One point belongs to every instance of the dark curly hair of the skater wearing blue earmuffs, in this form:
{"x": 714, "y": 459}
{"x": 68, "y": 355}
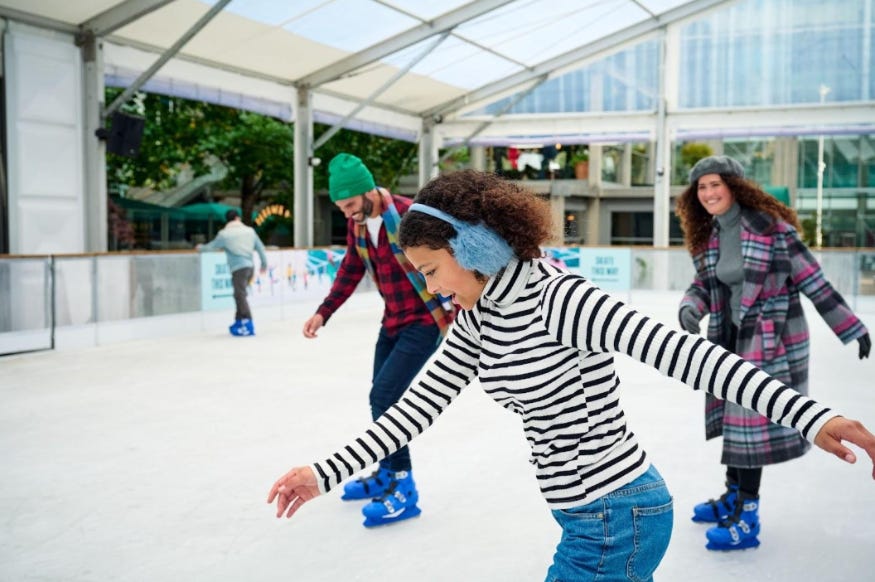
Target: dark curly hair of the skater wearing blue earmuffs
{"x": 520, "y": 217}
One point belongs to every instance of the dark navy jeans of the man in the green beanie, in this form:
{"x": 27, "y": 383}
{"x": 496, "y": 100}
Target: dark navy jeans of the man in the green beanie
{"x": 397, "y": 360}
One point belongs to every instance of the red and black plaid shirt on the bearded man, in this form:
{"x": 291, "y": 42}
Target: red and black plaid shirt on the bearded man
{"x": 403, "y": 304}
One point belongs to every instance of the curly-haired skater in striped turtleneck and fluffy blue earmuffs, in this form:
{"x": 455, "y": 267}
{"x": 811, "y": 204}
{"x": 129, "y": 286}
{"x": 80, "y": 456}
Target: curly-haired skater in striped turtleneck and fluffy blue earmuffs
{"x": 541, "y": 341}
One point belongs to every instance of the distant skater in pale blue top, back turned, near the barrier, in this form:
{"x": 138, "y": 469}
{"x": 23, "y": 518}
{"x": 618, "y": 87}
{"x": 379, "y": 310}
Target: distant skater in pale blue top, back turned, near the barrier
{"x": 239, "y": 242}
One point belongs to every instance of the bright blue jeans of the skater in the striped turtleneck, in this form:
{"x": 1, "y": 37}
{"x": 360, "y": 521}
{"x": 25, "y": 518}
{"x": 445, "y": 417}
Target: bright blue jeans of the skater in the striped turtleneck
{"x": 617, "y": 538}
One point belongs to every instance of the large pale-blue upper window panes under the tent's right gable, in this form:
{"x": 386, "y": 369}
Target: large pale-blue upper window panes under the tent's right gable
{"x": 752, "y": 54}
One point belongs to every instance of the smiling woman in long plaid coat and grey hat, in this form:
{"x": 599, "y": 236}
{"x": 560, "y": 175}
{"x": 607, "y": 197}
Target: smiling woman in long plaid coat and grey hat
{"x": 750, "y": 267}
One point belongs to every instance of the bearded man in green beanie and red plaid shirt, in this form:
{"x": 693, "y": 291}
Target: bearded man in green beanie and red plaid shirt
{"x": 413, "y": 322}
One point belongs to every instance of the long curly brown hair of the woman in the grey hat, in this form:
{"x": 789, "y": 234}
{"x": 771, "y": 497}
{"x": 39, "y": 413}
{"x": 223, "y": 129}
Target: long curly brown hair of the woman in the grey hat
{"x": 697, "y": 223}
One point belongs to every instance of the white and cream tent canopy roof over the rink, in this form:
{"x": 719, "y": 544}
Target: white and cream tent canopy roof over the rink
{"x": 255, "y": 53}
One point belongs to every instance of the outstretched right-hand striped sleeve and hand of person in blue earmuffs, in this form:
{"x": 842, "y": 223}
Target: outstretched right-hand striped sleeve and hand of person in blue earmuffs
{"x": 580, "y": 315}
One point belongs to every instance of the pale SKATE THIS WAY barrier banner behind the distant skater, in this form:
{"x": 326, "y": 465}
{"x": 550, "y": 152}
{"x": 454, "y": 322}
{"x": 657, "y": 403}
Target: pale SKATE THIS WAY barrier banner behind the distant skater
{"x": 291, "y": 276}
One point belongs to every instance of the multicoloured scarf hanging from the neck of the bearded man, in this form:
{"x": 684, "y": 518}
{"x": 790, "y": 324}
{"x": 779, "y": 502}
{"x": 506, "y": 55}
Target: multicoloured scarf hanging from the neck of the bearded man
{"x": 441, "y": 310}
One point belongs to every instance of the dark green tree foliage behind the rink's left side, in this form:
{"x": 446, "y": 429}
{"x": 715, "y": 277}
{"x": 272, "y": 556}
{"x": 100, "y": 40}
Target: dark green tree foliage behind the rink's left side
{"x": 258, "y": 151}
